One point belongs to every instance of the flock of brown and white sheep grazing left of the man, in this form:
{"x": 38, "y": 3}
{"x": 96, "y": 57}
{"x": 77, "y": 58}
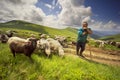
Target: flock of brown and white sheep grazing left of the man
{"x": 29, "y": 45}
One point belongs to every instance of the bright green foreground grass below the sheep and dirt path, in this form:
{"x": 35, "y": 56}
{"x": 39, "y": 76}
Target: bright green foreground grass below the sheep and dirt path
{"x": 54, "y": 68}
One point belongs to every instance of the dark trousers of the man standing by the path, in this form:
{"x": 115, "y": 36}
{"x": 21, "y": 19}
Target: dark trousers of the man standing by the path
{"x": 80, "y": 46}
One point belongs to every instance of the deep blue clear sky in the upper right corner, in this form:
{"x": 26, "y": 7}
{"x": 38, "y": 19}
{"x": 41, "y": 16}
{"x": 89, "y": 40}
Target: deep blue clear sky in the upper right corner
{"x": 105, "y": 10}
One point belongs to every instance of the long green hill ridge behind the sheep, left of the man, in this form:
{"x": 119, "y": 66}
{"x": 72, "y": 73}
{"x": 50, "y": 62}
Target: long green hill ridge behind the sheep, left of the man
{"x": 22, "y": 25}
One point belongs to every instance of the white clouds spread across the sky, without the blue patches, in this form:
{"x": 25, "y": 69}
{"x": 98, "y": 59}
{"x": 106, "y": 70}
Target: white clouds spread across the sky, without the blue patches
{"x": 72, "y": 13}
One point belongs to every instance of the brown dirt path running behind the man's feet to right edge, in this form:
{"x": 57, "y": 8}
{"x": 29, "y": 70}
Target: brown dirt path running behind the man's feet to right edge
{"x": 97, "y": 55}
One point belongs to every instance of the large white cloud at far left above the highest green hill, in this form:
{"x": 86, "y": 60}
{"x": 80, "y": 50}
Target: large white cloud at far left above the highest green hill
{"x": 20, "y": 10}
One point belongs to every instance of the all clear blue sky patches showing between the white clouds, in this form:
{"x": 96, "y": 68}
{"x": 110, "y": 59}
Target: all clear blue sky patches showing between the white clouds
{"x": 102, "y": 10}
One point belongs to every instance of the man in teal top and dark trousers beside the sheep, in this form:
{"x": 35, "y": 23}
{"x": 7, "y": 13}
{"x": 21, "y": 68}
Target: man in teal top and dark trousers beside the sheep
{"x": 82, "y": 38}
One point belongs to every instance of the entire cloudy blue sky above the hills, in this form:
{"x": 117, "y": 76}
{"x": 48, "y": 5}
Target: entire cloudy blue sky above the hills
{"x": 100, "y": 14}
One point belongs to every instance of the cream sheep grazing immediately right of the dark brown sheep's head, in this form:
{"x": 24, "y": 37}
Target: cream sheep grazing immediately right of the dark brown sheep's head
{"x": 44, "y": 46}
